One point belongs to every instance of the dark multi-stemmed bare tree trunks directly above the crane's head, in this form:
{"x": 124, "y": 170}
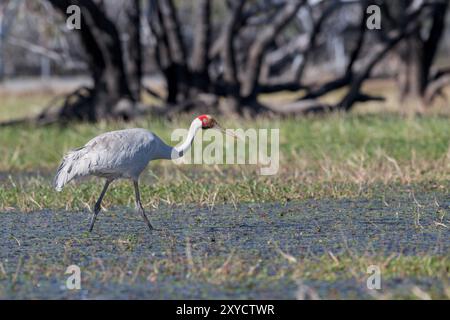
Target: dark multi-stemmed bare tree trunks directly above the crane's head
{"x": 185, "y": 81}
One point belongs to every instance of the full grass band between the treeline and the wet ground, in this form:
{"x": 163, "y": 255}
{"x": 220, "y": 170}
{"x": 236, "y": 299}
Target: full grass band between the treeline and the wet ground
{"x": 334, "y": 156}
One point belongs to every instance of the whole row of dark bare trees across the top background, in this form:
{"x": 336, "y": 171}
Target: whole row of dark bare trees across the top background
{"x": 222, "y": 60}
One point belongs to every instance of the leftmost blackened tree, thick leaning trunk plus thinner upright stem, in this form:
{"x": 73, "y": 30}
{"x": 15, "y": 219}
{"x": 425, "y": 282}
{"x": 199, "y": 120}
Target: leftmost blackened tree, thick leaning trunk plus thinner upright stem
{"x": 116, "y": 83}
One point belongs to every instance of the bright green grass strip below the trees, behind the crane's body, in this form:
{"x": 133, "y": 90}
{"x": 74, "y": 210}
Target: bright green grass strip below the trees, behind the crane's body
{"x": 336, "y": 138}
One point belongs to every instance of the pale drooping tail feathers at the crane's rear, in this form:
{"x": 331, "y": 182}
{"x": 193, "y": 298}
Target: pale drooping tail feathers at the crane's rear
{"x": 68, "y": 169}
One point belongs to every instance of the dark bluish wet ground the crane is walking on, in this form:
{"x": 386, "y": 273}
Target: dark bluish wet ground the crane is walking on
{"x": 400, "y": 224}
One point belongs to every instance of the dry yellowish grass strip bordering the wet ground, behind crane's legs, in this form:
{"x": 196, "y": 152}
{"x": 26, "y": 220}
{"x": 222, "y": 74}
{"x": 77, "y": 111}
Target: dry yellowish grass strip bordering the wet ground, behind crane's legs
{"x": 207, "y": 188}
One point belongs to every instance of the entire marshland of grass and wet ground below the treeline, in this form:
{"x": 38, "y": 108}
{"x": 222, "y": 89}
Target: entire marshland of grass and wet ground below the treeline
{"x": 352, "y": 191}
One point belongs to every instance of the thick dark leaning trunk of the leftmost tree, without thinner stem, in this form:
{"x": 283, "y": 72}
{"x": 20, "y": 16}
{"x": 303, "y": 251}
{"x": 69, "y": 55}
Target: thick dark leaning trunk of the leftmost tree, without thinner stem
{"x": 111, "y": 96}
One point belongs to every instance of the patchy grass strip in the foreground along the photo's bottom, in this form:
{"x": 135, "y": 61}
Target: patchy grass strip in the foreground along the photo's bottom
{"x": 240, "y": 275}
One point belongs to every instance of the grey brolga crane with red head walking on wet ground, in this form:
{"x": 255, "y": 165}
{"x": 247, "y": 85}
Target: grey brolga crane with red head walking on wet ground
{"x": 123, "y": 154}
